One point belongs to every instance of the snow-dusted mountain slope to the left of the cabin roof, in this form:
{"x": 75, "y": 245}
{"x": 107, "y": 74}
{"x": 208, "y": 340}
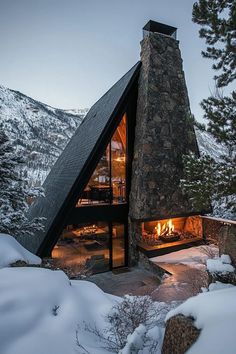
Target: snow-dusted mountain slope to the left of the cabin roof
{"x": 39, "y": 130}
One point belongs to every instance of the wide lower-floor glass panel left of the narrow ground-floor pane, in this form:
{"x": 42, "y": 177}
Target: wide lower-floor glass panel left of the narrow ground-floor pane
{"x": 84, "y": 244}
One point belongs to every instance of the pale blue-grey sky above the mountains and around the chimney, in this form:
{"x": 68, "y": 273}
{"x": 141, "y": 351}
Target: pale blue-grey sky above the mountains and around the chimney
{"x": 67, "y": 53}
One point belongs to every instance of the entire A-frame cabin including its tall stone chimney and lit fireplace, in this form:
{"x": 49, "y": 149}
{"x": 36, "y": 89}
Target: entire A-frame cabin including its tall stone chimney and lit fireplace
{"x": 115, "y": 189}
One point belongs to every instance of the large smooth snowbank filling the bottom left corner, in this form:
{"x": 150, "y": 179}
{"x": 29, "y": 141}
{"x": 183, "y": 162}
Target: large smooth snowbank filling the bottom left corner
{"x": 40, "y": 310}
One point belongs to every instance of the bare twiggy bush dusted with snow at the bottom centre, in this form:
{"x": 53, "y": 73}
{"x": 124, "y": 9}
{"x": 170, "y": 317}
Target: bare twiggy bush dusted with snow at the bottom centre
{"x": 128, "y": 319}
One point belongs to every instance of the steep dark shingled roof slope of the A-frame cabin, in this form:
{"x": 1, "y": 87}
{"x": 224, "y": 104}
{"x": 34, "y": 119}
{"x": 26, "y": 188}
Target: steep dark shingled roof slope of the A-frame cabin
{"x": 70, "y": 167}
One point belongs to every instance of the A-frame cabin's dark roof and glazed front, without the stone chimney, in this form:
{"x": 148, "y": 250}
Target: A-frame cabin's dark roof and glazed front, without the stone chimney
{"x": 88, "y": 187}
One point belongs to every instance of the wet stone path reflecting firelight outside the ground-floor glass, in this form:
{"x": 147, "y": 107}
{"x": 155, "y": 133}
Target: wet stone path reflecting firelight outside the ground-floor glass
{"x": 184, "y": 282}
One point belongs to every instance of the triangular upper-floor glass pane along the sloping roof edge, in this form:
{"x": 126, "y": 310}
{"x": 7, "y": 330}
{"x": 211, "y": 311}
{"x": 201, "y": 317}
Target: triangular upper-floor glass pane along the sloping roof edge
{"x": 98, "y": 189}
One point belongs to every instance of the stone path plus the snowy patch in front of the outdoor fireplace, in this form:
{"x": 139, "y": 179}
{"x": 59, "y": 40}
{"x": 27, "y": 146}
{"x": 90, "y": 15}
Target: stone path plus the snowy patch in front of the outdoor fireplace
{"x": 187, "y": 276}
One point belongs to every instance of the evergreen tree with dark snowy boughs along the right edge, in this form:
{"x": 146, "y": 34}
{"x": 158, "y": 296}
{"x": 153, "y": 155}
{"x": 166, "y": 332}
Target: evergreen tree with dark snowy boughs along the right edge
{"x": 205, "y": 179}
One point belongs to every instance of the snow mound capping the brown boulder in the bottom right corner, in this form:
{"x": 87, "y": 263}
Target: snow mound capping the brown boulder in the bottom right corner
{"x": 214, "y": 313}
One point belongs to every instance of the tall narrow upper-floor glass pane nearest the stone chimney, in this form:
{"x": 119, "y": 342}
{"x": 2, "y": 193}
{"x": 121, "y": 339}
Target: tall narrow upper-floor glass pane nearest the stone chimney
{"x": 118, "y": 162}
